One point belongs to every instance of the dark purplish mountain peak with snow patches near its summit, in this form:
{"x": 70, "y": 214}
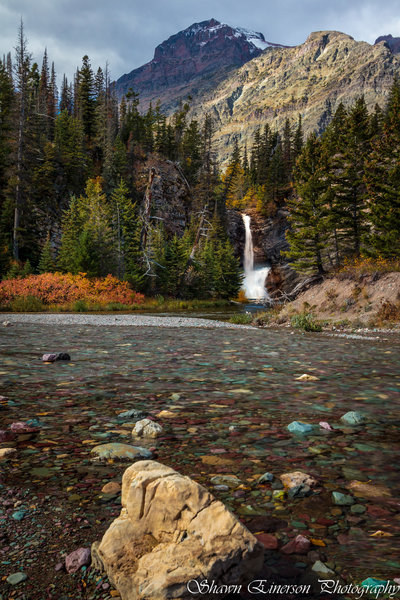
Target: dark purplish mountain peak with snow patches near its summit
{"x": 192, "y": 62}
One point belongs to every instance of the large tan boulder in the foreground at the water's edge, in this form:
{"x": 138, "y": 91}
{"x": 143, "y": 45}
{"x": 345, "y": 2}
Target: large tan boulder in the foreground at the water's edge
{"x": 171, "y": 530}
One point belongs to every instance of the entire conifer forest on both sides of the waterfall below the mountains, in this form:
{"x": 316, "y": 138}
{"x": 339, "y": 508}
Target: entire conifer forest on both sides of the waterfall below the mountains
{"x": 69, "y": 200}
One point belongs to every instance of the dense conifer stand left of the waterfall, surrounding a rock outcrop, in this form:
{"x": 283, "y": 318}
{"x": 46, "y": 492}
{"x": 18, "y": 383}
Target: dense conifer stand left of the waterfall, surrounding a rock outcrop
{"x": 67, "y": 174}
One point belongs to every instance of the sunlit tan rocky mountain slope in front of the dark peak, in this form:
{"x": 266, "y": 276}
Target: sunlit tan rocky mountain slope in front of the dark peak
{"x": 308, "y": 80}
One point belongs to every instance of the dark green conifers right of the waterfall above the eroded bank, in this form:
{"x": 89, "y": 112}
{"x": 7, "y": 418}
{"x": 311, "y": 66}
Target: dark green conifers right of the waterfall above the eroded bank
{"x": 346, "y": 199}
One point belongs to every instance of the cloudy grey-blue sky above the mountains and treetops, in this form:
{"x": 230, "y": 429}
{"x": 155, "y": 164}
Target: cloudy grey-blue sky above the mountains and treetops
{"x": 125, "y": 32}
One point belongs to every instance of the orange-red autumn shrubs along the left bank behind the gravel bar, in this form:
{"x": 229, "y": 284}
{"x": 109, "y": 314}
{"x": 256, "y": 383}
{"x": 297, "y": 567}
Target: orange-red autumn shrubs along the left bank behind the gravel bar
{"x": 58, "y": 288}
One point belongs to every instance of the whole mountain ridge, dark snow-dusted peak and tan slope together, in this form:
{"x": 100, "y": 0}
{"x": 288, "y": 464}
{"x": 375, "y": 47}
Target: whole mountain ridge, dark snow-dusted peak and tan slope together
{"x": 244, "y": 82}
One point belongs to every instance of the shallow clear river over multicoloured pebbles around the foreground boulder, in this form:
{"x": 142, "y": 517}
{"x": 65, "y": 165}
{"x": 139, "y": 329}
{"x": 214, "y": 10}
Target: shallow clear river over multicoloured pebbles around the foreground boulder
{"x": 230, "y": 394}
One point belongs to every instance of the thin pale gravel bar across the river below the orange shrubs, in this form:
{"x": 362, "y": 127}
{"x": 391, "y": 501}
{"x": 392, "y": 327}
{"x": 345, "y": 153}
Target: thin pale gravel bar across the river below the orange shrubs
{"x": 121, "y": 320}
